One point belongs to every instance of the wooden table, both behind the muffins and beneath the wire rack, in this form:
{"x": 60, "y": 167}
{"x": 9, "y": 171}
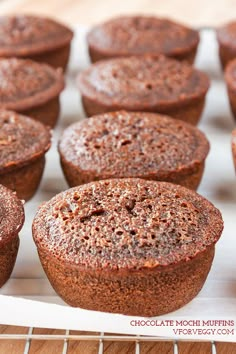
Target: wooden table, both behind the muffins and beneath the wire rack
{"x": 195, "y": 13}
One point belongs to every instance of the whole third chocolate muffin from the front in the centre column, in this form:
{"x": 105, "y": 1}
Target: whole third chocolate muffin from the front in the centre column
{"x": 144, "y": 83}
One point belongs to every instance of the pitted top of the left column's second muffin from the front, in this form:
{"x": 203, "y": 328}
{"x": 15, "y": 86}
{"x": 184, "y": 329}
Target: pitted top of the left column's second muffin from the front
{"x": 22, "y": 140}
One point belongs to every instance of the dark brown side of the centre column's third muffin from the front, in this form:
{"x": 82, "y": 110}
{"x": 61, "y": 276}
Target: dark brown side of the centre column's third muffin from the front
{"x": 189, "y": 113}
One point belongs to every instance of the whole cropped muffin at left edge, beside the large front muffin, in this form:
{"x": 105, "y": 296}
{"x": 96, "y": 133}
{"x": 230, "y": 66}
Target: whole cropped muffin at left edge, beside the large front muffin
{"x": 11, "y": 221}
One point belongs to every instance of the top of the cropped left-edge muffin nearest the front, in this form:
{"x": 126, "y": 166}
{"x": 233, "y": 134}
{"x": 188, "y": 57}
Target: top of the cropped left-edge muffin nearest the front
{"x": 11, "y": 215}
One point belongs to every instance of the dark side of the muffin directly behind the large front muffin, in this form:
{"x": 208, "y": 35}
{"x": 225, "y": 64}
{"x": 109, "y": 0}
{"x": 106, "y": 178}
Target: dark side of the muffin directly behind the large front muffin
{"x": 75, "y": 176}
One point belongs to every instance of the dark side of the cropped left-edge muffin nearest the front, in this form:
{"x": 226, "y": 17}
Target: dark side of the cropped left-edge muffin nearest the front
{"x": 8, "y": 254}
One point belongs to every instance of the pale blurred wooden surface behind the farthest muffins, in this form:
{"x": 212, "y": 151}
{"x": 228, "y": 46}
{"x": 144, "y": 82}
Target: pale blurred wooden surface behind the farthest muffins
{"x": 200, "y": 12}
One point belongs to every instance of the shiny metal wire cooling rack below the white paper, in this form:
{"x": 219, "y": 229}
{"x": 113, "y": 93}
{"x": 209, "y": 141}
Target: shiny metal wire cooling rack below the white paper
{"x": 100, "y": 339}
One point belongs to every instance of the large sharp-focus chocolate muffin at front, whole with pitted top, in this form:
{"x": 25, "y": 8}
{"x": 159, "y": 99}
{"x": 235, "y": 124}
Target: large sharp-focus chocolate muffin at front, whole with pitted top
{"x": 127, "y": 246}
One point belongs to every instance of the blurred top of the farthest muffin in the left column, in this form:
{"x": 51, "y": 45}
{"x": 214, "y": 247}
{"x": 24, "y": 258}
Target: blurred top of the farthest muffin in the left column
{"x": 21, "y": 35}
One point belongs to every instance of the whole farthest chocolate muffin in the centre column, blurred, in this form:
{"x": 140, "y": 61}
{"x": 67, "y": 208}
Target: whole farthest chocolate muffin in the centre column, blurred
{"x": 137, "y": 35}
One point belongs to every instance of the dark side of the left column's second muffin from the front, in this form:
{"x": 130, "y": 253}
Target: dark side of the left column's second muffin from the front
{"x": 24, "y": 180}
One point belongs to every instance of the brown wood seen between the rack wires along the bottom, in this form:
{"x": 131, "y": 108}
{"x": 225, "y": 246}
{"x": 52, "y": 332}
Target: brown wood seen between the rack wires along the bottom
{"x": 91, "y": 347}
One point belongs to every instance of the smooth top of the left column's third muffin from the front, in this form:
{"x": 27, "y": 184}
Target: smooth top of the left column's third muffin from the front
{"x": 25, "y": 83}
